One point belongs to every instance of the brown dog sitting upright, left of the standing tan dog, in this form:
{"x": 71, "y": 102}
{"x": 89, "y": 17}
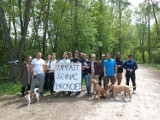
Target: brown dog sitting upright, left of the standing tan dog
{"x": 99, "y": 90}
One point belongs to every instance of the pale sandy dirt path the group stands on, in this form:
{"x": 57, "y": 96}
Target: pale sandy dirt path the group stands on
{"x": 144, "y": 104}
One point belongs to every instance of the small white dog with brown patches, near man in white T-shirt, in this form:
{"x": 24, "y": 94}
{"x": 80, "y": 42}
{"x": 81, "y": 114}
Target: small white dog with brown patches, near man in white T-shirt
{"x": 30, "y": 95}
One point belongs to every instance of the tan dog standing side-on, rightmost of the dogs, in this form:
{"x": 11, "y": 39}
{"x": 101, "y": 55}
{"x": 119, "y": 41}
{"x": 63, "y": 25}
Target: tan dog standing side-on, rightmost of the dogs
{"x": 118, "y": 89}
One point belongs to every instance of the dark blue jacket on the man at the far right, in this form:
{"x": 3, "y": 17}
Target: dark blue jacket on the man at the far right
{"x": 130, "y": 64}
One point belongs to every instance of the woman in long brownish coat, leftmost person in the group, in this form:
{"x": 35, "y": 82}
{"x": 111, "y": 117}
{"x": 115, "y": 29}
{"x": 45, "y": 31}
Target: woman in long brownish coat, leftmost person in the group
{"x": 26, "y": 75}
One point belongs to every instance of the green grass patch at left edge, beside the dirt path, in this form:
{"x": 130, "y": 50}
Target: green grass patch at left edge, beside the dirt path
{"x": 10, "y": 88}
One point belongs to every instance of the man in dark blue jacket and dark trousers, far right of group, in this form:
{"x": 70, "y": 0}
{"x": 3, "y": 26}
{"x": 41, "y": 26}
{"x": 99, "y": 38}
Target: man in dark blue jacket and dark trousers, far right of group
{"x": 130, "y": 65}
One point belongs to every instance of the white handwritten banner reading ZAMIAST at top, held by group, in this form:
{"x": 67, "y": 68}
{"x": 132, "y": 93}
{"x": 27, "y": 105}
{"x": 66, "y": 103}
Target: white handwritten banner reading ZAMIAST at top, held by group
{"x": 68, "y": 77}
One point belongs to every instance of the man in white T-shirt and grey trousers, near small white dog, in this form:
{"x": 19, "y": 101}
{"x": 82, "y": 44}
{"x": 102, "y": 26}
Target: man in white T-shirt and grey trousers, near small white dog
{"x": 38, "y": 68}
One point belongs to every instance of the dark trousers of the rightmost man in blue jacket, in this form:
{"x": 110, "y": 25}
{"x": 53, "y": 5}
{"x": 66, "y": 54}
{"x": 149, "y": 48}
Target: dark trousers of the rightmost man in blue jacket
{"x": 133, "y": 79}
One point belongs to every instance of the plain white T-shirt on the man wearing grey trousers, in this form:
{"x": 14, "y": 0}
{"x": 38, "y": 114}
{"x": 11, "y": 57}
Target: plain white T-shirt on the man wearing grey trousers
{"x": 38, "y": 65}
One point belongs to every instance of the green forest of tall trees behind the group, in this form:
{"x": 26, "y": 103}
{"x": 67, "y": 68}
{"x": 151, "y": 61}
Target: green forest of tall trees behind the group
{"x": 90, "y": 26}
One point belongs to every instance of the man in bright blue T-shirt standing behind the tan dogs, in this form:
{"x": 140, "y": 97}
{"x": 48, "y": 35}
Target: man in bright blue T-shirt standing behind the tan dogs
{"x": 109, "y": 70}
